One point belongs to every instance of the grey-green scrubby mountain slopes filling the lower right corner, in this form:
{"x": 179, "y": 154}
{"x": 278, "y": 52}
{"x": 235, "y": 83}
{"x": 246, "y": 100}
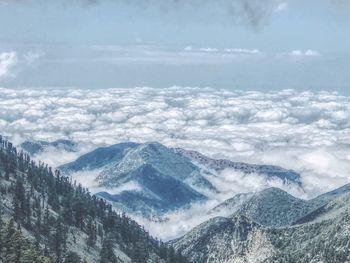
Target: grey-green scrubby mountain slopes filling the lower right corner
{"x": 305, "y": 231}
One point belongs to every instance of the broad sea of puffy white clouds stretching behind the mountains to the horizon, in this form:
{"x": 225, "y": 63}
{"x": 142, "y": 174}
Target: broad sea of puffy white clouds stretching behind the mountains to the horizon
{"x": 305, "y": 131}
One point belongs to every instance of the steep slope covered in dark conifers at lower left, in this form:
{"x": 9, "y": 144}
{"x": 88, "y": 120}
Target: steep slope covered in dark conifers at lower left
{"x": 47, "y": 218}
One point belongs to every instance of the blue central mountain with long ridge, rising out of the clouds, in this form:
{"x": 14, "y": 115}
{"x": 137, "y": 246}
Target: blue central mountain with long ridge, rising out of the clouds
{"x": 162, "y": 179}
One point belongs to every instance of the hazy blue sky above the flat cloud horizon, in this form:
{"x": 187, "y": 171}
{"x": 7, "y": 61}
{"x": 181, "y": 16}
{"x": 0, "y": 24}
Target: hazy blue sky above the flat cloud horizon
{"x": 97, "y": 44}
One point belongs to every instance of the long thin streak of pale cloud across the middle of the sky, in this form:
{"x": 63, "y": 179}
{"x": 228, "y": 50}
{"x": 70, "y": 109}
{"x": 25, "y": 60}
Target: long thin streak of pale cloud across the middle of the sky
{"x": 153, "y": 53}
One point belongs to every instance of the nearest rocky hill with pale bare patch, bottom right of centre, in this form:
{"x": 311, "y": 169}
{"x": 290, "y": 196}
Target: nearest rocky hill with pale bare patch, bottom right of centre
{"x": 222, "y": 240}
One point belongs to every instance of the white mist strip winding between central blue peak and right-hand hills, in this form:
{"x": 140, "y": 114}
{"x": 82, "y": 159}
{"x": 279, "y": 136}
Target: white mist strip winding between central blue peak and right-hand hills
{"x": 229, "y": 183}
